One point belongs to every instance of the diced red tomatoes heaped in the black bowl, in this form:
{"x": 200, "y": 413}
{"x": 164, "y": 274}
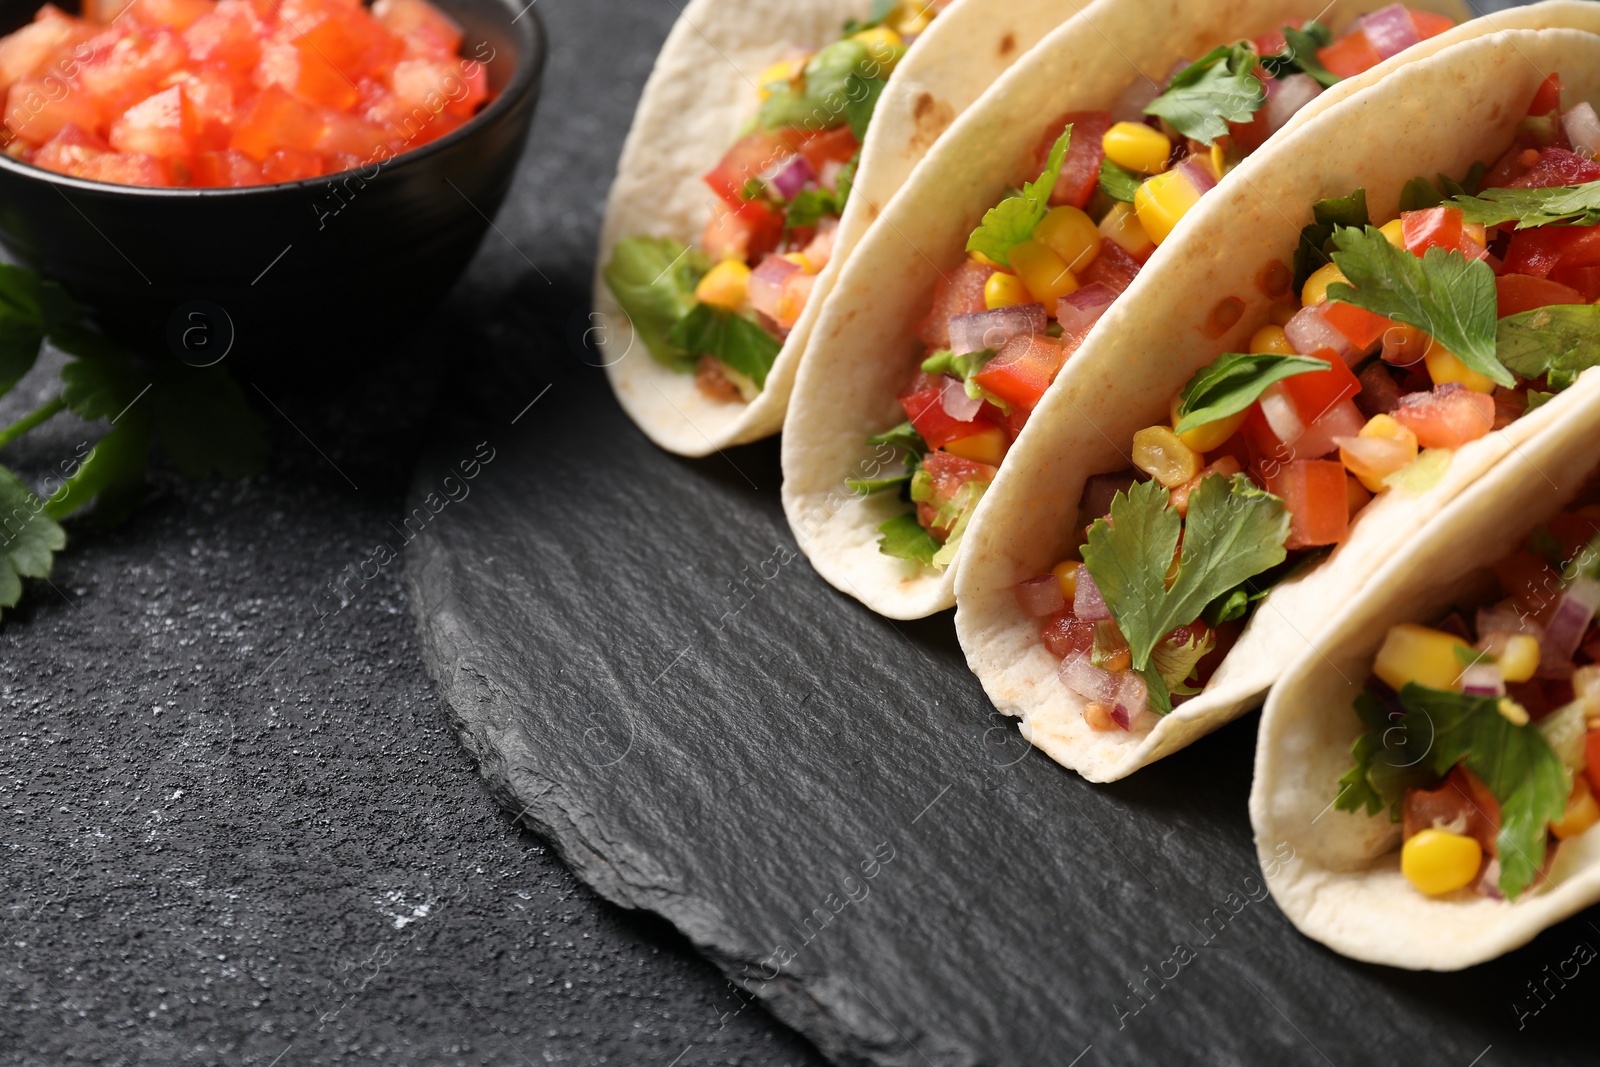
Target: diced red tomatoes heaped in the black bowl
{"x": 233, "y": 92}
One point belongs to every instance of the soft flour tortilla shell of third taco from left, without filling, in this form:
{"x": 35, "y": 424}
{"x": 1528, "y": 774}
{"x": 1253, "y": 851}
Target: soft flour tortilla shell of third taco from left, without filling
{"x": 1431, "y": 116}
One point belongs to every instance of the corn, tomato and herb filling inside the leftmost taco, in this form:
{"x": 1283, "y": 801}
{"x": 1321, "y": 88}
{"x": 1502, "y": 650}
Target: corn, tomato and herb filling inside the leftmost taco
{"x": 724, "y": 308}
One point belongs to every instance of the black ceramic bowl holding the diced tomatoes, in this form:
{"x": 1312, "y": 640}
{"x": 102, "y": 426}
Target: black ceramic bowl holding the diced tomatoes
{"x": 322, "y": 266}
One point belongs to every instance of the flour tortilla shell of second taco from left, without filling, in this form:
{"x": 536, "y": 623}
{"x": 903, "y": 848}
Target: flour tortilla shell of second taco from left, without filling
{"x": 863, "y": 348}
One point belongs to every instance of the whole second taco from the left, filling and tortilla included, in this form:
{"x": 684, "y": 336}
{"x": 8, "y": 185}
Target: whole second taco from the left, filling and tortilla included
{"x": 1028, "y": 222}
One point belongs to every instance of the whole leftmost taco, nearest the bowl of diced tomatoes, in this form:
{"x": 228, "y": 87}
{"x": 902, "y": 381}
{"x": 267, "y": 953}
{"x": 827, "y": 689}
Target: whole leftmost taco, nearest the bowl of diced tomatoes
{"x": 713, "y": 273}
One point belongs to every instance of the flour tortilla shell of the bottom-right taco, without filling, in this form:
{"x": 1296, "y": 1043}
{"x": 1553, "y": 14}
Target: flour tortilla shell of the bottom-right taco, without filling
{"x": 1345, "y": 887}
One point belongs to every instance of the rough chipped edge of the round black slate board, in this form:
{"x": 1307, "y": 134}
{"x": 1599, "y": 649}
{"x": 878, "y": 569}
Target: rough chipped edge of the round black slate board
{"x": 505, "y": 762}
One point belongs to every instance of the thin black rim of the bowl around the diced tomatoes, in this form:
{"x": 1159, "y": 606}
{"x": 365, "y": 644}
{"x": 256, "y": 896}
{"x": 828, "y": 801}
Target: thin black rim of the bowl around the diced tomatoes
{"x": 524, "y": 82}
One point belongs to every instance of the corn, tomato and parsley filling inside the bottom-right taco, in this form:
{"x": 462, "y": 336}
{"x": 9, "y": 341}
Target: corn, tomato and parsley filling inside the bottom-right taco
{"x": 1478, "y": 730}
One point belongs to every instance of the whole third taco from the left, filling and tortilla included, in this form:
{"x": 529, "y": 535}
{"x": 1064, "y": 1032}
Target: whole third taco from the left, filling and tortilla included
{"x": 1353, "y": 338}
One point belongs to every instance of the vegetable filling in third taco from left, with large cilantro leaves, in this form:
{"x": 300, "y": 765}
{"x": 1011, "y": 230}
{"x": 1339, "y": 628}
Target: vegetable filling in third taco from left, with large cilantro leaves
{"x": 1407, "y": 342}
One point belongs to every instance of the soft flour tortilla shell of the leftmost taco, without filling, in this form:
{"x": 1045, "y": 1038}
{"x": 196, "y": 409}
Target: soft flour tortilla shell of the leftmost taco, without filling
{"x": 702, "y": 94}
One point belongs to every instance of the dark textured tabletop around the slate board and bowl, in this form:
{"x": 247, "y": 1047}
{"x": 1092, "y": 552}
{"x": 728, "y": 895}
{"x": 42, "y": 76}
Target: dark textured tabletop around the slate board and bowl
{"x": 238, "y": 833}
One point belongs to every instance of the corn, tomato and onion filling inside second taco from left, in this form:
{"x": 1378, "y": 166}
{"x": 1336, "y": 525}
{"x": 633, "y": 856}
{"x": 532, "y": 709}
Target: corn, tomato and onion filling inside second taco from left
{"x": 1049, "y": 262}
